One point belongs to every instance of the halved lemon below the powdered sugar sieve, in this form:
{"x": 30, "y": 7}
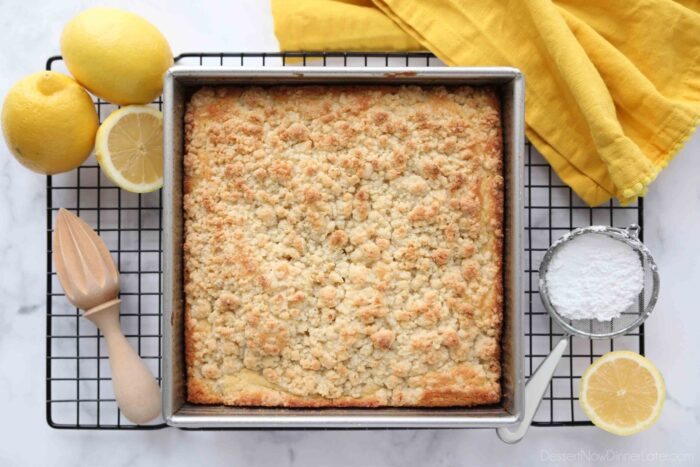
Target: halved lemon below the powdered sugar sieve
{"x": 622, "y": 393}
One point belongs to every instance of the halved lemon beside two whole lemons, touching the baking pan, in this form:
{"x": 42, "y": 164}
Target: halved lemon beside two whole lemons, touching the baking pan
{"x": 129, "y": 148}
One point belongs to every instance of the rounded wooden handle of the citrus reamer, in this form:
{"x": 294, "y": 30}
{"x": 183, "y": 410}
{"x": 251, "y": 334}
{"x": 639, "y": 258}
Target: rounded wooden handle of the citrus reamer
{"x": 135, "y": 388}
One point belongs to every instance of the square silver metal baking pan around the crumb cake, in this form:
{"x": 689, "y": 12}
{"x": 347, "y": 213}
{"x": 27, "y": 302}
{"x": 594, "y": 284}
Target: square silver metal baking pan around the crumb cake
{"x": 180, "y": 83}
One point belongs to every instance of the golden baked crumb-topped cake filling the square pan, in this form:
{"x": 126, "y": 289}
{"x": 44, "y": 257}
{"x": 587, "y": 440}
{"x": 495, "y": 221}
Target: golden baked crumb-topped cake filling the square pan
{"x": 343, "y": 246}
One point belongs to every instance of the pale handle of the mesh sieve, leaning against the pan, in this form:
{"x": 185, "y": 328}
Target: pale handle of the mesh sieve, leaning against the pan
{"x": 534, "y": 391}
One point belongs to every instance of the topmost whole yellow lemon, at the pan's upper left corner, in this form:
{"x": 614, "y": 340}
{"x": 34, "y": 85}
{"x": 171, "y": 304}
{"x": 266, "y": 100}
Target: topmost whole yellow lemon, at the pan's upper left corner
{"x": 116, "y": 55}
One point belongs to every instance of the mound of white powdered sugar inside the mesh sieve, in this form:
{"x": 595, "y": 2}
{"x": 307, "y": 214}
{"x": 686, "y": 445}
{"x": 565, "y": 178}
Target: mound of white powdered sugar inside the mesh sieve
{"x": 594, "y": 276}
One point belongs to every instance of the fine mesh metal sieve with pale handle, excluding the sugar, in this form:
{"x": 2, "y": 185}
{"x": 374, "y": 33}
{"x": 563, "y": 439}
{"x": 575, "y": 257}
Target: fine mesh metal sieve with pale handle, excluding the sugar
{"x": 629, "y": 319}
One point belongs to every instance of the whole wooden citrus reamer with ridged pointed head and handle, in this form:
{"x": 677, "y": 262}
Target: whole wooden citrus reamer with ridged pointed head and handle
{"x": 90, "y": 281}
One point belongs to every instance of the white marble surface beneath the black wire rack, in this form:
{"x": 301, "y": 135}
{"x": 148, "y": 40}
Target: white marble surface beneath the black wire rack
{"x": 29, "y": 32}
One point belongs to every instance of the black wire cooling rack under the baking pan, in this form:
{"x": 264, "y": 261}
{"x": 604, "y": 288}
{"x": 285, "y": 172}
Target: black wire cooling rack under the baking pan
{"x": 78, "y": 385}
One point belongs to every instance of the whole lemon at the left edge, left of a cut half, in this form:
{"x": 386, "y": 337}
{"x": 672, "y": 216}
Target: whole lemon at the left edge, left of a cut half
{"x": 49, "y": 122}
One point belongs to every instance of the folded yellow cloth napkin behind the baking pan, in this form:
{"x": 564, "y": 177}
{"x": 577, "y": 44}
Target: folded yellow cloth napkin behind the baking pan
{"x": 612, "y": 88}
